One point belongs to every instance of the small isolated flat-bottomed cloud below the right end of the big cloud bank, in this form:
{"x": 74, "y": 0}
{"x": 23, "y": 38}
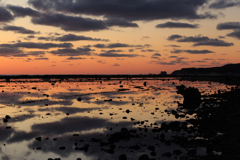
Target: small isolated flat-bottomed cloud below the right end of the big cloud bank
{"x": 177, "y": 25}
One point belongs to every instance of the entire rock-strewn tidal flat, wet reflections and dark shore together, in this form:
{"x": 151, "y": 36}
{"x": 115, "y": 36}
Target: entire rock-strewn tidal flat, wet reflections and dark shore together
{"x": 117, "y": 119}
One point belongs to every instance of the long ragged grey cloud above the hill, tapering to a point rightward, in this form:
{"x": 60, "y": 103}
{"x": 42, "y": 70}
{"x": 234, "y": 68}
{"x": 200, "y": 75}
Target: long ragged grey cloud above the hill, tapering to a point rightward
{"x": 201, "y": 41}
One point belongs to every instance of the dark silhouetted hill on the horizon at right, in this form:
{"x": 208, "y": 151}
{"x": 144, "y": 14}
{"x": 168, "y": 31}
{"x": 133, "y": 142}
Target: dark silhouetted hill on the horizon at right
{"x": 228, "y": 69}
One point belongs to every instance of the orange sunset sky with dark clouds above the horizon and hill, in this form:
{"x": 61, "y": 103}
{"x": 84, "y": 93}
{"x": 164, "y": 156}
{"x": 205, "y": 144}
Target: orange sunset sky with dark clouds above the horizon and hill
{"x": 117, "y": 36}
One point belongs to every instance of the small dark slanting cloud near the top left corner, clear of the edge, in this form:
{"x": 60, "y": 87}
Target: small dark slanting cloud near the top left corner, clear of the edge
{"x": 22, "y": 12}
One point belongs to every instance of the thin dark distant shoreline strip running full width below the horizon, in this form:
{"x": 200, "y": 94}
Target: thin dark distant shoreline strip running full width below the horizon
{"x": 226, "y": 79}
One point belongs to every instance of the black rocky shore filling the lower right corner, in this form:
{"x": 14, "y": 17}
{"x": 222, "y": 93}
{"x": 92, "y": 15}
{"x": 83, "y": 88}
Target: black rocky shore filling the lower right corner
{"x": 215, "y": 128}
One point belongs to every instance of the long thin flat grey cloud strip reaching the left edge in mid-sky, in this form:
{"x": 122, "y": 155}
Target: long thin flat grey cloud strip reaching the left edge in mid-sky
{"x": 37, "y": 45}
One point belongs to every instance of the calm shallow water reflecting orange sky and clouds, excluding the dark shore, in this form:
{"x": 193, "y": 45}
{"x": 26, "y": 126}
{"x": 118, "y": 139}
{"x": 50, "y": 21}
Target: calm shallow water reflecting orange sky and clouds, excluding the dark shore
{"x": 76, "y": 119}
